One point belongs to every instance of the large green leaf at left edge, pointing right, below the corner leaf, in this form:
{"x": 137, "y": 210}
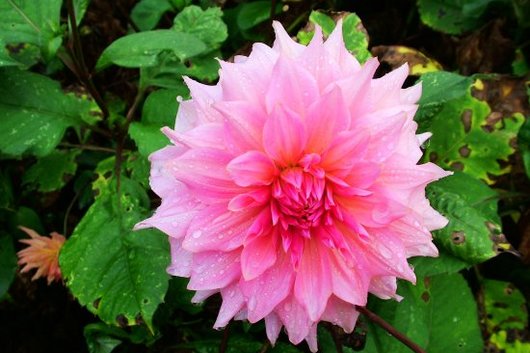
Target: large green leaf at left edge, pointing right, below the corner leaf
{"x": 36, "y": 113}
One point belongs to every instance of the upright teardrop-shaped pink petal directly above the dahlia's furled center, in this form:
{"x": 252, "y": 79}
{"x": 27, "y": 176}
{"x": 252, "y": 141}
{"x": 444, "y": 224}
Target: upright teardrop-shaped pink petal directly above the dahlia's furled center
{"x": 284, "y": 136}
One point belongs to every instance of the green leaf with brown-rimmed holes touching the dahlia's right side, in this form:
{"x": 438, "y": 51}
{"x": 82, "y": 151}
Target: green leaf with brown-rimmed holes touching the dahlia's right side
{"x": 474, "y": 230}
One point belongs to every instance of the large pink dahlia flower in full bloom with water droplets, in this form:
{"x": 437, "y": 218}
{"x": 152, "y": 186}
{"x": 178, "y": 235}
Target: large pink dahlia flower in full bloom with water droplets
{"x": 292, "y": 186}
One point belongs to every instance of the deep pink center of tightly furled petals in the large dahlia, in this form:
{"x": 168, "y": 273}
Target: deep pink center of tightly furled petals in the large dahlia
{"x": 300, "y": 200}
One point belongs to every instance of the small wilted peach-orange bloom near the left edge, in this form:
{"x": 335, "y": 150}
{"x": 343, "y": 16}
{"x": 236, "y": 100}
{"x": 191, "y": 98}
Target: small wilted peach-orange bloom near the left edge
{"x": 41, "y": 254}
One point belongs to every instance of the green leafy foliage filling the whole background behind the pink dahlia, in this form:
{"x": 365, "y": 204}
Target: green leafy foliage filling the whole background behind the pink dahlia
{"x": 85, "y": 87}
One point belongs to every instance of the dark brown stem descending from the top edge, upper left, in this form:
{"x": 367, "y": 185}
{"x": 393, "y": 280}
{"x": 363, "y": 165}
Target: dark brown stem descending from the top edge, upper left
{"x": 82, "y": 70}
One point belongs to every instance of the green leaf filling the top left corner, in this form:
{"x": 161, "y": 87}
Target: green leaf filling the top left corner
{"x": 33, "y": 22}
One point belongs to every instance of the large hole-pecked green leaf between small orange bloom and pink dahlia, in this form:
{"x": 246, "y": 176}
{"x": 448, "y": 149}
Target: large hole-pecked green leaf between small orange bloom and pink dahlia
{"x": 125, "y": 283}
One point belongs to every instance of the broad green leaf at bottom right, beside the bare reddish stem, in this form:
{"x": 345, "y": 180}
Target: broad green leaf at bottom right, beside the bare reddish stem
{"x": 439, "y": 314}
